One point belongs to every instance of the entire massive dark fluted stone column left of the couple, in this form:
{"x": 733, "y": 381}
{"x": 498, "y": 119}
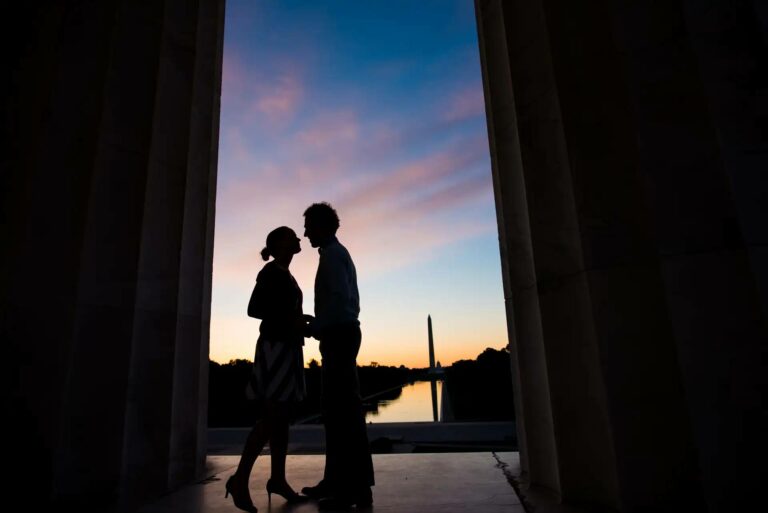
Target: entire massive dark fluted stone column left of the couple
{"x": 108, "y": 213}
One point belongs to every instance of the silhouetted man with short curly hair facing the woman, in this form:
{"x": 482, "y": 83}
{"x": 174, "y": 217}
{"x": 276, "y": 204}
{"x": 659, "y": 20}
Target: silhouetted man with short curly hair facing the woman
{"x": 348, "y": 473}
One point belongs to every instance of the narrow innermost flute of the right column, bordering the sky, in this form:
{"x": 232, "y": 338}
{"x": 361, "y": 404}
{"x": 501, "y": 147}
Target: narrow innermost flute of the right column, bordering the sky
{"x": 533, "y": 409}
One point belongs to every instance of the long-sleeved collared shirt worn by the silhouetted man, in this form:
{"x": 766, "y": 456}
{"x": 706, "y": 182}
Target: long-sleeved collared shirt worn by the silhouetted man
{"x": 337, "y": 300}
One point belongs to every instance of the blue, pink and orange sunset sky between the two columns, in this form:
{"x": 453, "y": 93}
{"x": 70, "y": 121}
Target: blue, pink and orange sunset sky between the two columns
{"x": 376, "y": 107}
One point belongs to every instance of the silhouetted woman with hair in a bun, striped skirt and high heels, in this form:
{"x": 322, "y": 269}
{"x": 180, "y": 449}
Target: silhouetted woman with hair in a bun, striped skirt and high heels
{"x": 277, "y": 380}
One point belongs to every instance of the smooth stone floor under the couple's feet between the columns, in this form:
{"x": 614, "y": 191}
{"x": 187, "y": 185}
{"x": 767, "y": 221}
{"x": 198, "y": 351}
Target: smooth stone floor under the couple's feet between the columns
{"x": 405, "y": 483}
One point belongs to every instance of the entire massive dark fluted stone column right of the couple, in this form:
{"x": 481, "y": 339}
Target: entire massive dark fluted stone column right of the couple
{"x": 636, "y": 140}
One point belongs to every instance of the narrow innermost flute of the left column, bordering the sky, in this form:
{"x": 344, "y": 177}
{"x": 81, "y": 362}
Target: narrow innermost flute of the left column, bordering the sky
{"x": 189, "y": 433}
